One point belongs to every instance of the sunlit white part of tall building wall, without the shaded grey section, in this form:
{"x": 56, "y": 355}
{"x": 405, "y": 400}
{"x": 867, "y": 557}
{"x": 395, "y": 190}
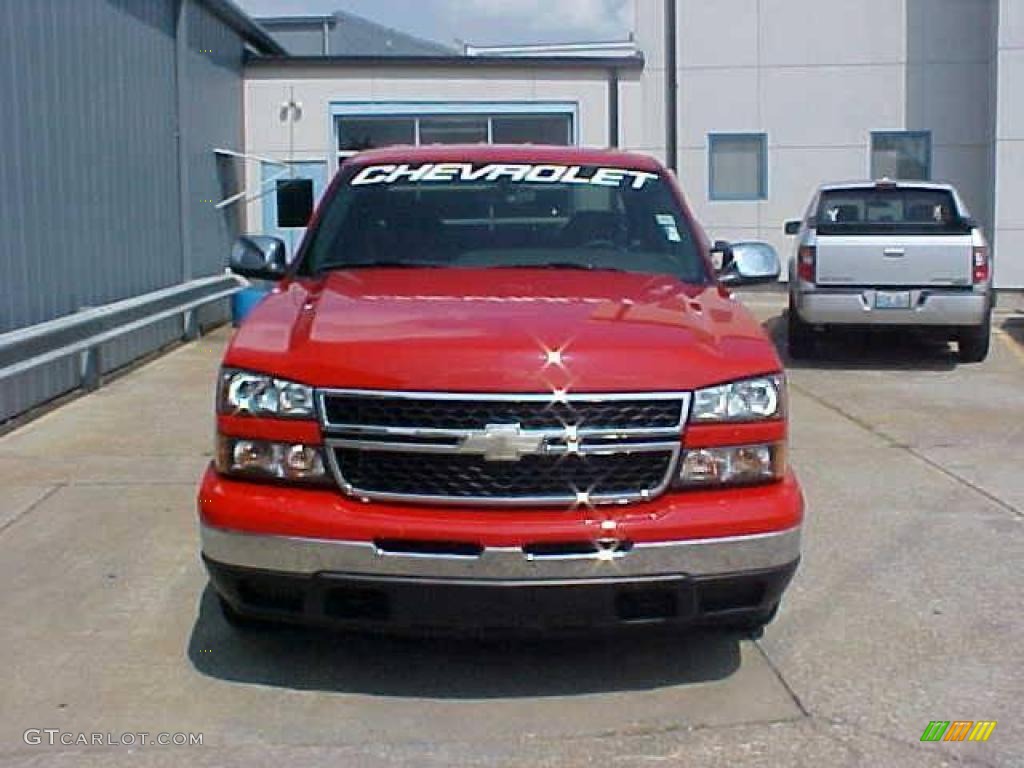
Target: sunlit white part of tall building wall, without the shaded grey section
{"x": 816, "y": 77}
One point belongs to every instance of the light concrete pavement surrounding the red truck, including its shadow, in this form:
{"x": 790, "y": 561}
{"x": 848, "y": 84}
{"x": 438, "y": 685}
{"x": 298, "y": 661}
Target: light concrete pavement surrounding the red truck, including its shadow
{"x": 907, "y": 609}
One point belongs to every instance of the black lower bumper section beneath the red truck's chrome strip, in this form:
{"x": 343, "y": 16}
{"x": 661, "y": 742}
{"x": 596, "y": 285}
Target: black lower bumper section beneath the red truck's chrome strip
{"x": 425, "y": 606}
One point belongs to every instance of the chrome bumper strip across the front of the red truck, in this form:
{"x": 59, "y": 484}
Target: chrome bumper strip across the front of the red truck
{"x": 312, "y": 557}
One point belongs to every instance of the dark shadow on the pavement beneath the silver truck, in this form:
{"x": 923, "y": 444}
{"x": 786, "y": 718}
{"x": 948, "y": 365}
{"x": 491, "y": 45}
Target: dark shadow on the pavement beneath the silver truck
{"x": 881, "y": 351}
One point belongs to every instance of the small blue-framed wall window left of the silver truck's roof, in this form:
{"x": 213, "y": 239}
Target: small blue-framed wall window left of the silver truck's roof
{"x": 738, "y": 167}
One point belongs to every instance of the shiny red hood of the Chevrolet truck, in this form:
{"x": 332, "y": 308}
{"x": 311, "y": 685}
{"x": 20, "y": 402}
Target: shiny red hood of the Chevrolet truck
{"x": 502, "y": 331}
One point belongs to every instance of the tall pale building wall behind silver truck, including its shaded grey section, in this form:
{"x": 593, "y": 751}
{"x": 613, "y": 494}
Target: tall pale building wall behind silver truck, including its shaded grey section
{"x": 818, "y": 78}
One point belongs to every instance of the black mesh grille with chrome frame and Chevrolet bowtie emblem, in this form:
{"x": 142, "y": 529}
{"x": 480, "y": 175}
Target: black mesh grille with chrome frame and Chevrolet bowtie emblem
{"x": 517, "y": 450}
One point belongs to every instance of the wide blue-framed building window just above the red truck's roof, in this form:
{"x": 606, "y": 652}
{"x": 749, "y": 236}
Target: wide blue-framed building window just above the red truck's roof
{"x": 451, "y": 124}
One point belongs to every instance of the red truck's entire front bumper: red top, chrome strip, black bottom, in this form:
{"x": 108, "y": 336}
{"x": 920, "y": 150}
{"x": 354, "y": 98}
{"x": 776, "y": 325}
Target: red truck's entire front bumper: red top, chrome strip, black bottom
{"x": 319, "y": 558}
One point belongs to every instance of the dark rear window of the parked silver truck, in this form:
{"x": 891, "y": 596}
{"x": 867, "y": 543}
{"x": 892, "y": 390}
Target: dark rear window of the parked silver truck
{"x": 889, "y": 211}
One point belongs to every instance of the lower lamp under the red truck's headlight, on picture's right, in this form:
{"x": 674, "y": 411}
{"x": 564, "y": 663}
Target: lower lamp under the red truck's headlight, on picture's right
{"x": 733, "y": 465}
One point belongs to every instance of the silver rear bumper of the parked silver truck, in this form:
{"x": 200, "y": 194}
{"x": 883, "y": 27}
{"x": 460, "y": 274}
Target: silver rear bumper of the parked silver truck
{"x": 857, "y": 308}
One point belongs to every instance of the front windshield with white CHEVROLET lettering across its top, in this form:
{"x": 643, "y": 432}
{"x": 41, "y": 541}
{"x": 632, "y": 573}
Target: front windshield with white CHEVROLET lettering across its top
{"x": 464, "y": 216}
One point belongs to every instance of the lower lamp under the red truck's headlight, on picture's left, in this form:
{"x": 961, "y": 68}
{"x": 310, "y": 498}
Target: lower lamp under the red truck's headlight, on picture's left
{"x": 271, "y": 461}
